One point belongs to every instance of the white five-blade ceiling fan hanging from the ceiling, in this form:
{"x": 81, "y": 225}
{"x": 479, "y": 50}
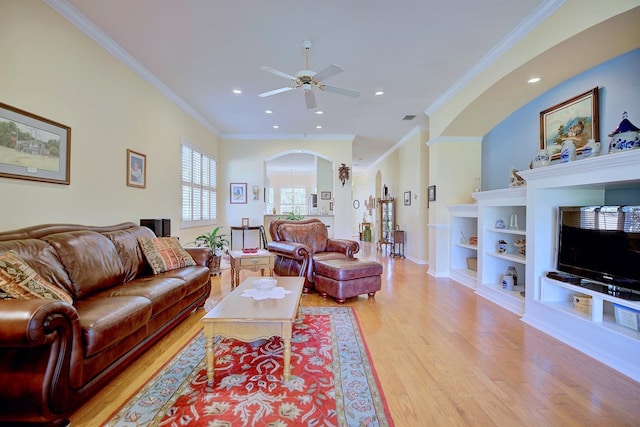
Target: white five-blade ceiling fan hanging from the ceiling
{"x": 307, "y": 80}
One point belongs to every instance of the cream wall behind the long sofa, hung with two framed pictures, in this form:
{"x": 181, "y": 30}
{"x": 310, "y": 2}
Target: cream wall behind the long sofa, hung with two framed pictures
{"x": 52, "y": 69}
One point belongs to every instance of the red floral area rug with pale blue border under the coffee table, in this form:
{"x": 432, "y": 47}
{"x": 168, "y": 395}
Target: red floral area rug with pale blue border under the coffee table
{"x": 333, "y": 382}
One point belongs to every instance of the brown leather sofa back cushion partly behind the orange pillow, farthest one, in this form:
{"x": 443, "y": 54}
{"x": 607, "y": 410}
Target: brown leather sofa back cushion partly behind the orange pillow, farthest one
{"x": 126, "y": 243}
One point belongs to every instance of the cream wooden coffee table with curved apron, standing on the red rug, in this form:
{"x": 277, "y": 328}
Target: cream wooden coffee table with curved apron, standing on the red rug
{"x": 247, "y": 320}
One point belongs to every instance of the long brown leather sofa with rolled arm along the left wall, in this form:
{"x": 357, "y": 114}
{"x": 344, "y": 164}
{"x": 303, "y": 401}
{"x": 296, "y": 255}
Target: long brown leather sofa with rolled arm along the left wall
{"x": 54, "y": 355}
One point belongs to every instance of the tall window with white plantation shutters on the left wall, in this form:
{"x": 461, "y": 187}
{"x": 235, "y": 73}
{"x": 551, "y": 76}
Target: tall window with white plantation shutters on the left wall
{"x": 199, "y": 191}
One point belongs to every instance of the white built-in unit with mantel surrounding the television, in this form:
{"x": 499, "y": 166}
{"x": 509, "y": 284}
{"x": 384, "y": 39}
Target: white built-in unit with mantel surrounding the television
{"x": 549, "y": 303}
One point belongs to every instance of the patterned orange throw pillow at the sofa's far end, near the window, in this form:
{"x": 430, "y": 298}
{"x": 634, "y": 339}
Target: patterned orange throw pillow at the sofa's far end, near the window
{"x": 164, "y": 254}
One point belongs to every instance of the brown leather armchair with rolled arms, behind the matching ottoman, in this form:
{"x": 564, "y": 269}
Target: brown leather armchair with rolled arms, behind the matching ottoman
{"x": 298, "y": 245}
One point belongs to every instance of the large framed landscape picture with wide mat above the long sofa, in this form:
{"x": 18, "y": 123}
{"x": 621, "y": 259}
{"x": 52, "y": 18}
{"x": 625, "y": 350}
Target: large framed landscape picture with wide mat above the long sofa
{"x": 33, "y": 147}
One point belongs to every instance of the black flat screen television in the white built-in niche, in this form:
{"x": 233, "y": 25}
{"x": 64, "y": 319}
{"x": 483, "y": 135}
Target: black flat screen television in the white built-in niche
{"x": 601, "y": 243}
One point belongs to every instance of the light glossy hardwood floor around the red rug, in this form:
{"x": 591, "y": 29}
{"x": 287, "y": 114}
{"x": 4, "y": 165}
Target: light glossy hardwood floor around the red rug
{"x": 444, "y": 357}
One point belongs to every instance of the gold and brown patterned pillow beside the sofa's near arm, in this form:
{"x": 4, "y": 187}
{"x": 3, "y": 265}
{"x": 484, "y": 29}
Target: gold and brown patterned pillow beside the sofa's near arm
{"x": 19, "y": 281}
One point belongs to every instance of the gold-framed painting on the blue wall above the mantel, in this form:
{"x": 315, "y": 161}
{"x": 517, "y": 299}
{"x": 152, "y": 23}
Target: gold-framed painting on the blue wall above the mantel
{"x": 575, "y": 119}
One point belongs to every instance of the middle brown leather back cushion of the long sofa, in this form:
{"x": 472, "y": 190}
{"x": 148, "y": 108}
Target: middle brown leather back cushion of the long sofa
{"x": 90, "y": 259}
